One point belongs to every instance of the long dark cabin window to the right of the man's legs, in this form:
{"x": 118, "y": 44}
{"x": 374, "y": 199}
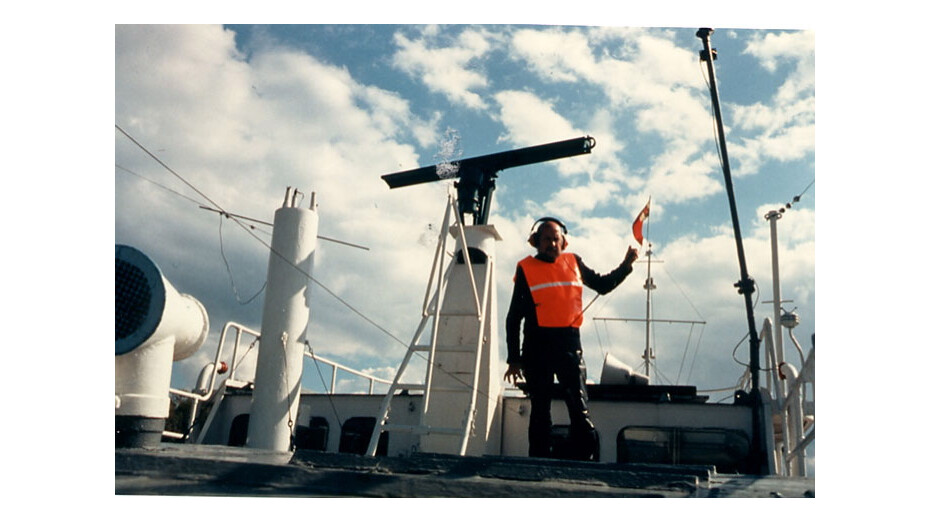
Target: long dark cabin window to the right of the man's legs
{"x": 725, "y": 449}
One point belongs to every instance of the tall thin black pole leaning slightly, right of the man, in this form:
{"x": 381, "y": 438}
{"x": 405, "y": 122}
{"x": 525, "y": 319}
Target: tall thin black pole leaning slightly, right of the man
{"x": 745, "y": 285}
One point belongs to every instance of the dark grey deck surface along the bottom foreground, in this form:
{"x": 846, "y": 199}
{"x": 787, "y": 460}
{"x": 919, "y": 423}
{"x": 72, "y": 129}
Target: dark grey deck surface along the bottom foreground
{"x": 204, "y": 470}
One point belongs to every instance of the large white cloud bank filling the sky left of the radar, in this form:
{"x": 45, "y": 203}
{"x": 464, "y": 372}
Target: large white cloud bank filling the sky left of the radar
{"x": 242, "y": 132}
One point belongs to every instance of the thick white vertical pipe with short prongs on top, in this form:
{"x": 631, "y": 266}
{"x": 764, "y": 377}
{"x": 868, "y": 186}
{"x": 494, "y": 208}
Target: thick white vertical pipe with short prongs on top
{"x": 285, "y": 319}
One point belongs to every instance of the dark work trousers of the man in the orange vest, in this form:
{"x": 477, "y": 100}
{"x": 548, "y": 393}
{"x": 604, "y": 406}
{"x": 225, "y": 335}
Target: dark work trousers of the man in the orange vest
{"x": 568, "y": 366}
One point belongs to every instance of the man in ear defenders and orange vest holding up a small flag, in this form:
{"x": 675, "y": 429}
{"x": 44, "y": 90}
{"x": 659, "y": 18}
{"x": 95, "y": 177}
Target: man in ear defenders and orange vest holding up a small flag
{"x": 547, "y": 299}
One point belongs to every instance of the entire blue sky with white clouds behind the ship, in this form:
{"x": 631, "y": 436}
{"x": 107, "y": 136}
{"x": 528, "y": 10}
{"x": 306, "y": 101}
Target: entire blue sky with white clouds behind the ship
{"x": 242, "y": 112}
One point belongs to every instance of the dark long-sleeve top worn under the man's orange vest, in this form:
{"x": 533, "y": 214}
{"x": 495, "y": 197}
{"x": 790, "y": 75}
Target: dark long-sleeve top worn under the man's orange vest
{"x": 523, "y": 309}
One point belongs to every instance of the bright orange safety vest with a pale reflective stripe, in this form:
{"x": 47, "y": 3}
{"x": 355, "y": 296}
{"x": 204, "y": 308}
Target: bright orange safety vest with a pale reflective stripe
{"x": 556, "y": 289}
